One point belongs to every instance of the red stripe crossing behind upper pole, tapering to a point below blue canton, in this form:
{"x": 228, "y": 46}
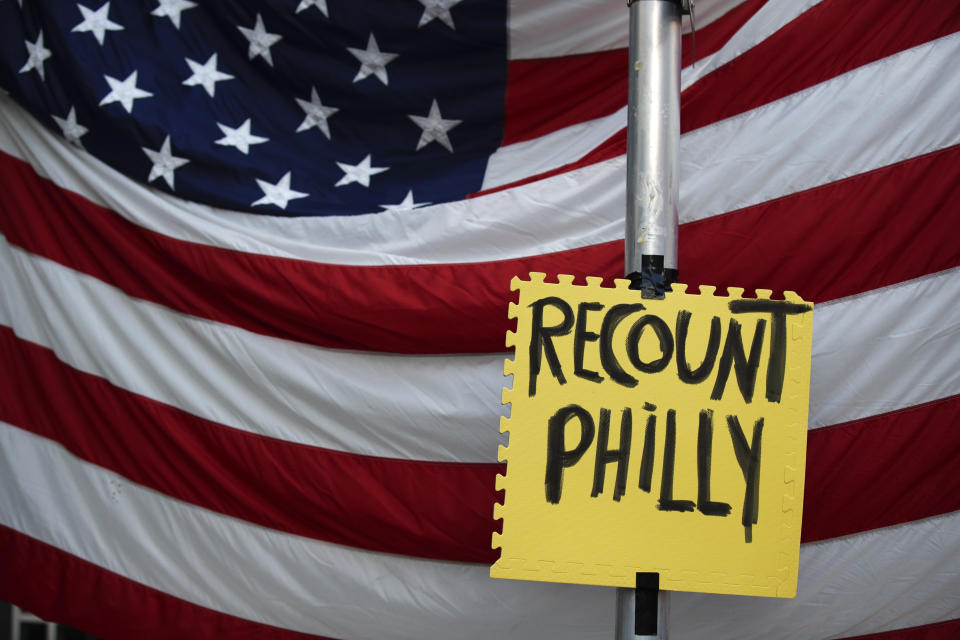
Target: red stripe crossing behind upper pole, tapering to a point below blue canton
{"x": 847, "y": 37}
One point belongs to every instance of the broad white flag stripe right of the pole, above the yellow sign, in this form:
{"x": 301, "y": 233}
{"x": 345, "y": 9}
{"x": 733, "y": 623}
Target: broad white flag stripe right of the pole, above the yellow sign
{"x": 864, "y": 119}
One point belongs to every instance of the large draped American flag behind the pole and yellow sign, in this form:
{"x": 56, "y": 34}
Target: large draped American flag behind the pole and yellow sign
{"x": 255, "y": 268}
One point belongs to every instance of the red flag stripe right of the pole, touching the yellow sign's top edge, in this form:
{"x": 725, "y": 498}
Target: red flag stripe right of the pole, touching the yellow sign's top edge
{"x": 865, "y": 232}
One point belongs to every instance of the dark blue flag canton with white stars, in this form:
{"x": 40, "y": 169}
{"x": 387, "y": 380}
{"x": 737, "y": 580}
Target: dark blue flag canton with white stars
{"x": 295, "y": 107}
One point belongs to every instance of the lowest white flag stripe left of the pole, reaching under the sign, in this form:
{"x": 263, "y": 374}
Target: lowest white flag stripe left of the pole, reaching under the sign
{"x": 228, "y": 565}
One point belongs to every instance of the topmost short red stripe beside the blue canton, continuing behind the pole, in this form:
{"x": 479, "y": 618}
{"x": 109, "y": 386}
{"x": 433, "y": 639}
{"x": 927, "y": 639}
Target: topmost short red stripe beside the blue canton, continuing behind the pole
{"x": 546, "y": 94}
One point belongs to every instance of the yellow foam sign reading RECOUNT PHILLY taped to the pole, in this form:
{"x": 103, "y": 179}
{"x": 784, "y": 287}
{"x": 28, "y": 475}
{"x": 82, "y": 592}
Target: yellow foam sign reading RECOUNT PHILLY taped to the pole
{"x": 660, "y": 436}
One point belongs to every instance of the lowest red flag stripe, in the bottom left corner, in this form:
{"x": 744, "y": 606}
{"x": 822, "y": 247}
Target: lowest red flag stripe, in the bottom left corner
{"x": 107, "y": 605}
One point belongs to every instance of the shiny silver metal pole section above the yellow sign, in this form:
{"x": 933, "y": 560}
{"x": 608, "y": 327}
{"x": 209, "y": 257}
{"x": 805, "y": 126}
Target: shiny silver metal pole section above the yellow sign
{"x": 653, "y": 136}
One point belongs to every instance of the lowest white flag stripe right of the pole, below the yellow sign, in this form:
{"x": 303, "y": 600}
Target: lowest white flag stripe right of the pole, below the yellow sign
{"x": 880, "y": 580}
